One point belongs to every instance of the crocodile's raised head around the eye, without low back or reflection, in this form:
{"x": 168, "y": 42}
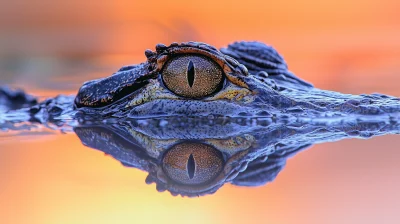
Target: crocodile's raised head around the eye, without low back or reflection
{"x": 194, "y": 79}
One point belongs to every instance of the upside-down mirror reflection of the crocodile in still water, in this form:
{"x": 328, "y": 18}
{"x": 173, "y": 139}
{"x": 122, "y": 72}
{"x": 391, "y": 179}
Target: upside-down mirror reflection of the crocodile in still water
{"x": 197, "y": 156}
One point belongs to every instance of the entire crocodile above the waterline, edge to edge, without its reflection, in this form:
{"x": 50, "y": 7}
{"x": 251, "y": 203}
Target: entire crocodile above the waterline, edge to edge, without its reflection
{"x": 245, "y": 79}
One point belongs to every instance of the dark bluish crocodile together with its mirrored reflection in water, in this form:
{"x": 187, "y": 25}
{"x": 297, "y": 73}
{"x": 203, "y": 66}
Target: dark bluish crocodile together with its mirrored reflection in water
{"x": 195, "y": 117}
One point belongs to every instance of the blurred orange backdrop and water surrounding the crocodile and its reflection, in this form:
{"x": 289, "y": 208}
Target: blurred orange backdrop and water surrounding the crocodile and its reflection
{"x": 51, "y": 47}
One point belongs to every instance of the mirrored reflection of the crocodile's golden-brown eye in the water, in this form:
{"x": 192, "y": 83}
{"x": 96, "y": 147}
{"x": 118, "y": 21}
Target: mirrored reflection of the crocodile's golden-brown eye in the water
{"x": 192, "y": 163}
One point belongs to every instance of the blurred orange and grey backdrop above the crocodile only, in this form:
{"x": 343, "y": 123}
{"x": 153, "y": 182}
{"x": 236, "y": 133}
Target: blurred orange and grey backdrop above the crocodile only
{"x": 348, "y": 45}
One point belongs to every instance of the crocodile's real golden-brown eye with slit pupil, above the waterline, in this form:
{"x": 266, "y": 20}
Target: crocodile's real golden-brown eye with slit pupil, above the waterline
{"x": 192, "y": 76}
